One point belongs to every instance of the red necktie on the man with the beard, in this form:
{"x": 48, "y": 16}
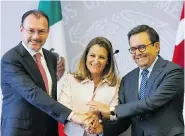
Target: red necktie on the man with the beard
{"x": 42, "y": 71}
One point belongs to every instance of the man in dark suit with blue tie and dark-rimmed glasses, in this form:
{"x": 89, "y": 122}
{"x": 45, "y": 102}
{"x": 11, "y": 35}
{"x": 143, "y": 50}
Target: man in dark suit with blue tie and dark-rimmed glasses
{"x": 151, "y": 96}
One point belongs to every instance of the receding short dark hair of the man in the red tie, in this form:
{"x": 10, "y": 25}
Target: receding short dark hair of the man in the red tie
{"x": 36, "y": 13}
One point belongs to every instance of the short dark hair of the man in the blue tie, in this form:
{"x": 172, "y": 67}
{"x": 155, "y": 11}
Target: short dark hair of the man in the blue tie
{"x": 153, "y": 35}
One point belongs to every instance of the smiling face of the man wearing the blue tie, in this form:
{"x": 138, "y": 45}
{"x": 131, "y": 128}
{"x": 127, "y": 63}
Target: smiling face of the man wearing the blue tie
{"x": 144, "y": 59}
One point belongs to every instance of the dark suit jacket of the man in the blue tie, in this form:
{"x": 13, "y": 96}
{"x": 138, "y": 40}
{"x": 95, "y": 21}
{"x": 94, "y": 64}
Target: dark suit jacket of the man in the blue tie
{"x": 160, "y": 113}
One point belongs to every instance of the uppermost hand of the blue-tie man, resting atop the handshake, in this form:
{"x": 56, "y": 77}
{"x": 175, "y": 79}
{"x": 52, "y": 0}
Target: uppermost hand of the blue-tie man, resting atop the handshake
{"x": 103, "y": 108}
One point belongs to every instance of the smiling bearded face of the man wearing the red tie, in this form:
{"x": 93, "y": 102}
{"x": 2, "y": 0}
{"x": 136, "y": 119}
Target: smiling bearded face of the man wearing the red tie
{"x": 34, "y": 41}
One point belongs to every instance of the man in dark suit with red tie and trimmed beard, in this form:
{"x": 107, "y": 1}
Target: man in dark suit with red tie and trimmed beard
{"x": 29, "y": 84}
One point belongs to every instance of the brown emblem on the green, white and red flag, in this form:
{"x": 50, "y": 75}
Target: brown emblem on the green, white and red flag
{"x": 60, "y": 67}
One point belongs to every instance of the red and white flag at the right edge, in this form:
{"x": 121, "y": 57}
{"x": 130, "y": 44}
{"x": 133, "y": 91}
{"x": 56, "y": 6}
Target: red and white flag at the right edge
{"x": 178, "y": 56}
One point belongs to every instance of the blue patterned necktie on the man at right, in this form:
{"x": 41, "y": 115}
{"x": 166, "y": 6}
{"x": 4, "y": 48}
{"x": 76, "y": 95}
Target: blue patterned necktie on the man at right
{"x": 143, "y": 84}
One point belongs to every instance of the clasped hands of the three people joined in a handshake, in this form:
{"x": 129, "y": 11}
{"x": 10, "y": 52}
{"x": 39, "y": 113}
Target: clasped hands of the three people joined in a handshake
{"x": 92, "y": 120}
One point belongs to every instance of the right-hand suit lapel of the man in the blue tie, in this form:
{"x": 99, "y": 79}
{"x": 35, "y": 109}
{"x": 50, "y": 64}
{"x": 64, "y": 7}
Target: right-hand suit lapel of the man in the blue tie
{"x": 157, "y": 69}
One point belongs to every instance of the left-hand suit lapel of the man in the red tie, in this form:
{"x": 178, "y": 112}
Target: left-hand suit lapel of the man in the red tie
{"x": 30, "y": 66}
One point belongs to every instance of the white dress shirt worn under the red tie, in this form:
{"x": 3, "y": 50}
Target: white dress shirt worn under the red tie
{"x": 44, "y": 64}
